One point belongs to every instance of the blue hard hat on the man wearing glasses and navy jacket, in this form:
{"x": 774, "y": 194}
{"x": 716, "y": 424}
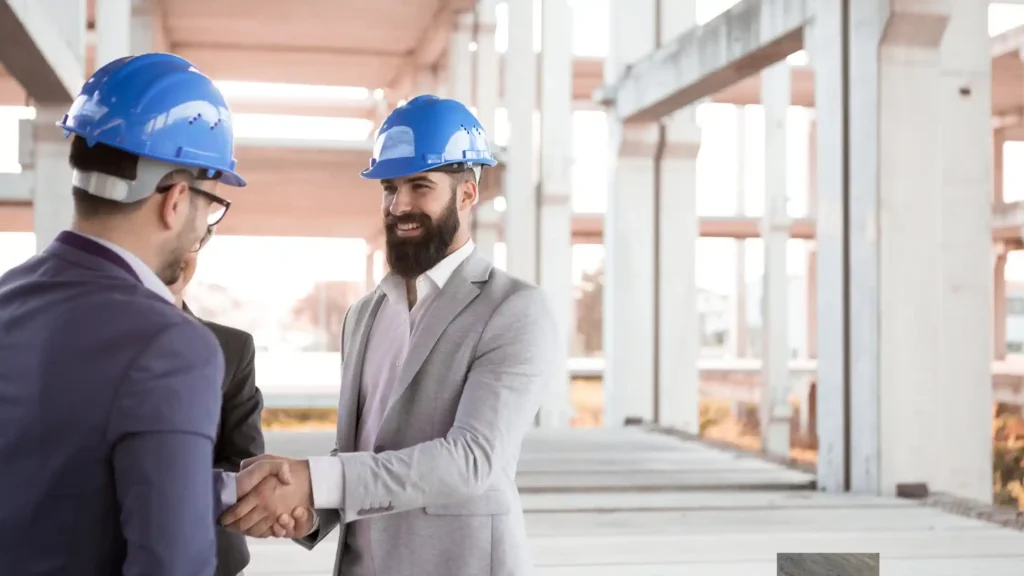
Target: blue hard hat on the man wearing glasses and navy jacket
{"x": 159, "y": 107}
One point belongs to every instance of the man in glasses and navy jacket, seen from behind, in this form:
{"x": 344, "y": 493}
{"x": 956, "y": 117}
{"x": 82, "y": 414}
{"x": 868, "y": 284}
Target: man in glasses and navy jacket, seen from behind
{"x": 109, "y": 395}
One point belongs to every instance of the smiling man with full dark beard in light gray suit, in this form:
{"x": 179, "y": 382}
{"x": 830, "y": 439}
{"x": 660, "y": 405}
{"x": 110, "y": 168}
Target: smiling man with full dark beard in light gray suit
{"x": 445, "y": 366}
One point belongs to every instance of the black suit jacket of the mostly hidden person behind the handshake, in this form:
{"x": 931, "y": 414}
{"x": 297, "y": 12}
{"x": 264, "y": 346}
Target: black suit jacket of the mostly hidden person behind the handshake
{"x": 241, "y": 435}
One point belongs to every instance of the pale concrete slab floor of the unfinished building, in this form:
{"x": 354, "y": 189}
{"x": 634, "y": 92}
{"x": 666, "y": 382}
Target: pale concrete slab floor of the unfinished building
{"x": 627, "y": 503}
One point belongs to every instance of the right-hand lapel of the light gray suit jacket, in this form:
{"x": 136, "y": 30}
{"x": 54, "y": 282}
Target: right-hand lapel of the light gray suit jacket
{"x": 456, "y": 296}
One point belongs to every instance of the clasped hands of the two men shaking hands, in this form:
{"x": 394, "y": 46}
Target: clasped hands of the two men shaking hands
{"x": 275, "y": 499}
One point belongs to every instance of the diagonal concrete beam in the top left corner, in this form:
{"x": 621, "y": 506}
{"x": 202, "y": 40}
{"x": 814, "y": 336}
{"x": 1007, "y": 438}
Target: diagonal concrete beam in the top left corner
{"x": 36, "y": 55}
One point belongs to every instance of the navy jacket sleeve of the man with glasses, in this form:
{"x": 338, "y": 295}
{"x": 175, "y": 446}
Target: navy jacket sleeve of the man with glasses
{"x": 163, "y": 425}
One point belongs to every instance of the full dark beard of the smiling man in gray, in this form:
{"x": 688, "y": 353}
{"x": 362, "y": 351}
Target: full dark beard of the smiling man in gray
{"x": 410, "y": 258}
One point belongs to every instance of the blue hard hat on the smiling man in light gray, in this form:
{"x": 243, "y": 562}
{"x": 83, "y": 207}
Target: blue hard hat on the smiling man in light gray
{"x": 425, "y": 135}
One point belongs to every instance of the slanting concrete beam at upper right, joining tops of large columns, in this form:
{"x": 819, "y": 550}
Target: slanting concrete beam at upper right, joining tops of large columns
{"x": 740, "y": 43}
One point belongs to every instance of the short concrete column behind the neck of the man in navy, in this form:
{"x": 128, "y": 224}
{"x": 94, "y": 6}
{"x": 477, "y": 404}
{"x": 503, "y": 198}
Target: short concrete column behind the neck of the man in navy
{"x": 48, "y": 150}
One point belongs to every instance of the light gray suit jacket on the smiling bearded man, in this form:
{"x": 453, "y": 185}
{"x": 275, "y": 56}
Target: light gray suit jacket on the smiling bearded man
{"x": 440, "y": 489}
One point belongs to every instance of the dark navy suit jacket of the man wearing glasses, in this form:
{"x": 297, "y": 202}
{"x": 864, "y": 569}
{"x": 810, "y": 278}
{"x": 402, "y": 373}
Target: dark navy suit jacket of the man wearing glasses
{"x": 110, "y": 399}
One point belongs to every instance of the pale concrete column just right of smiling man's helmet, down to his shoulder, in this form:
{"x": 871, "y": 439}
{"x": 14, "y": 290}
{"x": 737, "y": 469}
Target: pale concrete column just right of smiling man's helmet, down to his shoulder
{"x": 521, "y": 100}
